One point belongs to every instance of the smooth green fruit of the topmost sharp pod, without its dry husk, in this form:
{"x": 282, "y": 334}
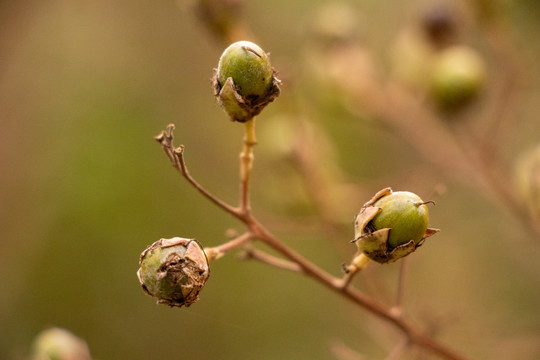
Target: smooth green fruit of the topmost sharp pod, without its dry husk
{"x": 248, "y": 66}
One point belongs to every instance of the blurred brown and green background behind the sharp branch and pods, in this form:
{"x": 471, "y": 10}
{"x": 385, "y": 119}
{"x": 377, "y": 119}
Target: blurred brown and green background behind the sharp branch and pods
{"x": 84, "y": 187}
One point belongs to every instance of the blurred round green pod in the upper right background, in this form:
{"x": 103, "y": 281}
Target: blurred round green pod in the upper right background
{"x": 457, "y": 77}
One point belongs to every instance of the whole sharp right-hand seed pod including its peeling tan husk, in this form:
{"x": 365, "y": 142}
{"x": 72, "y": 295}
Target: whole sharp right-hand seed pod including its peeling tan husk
{"x": 392, "y": 225}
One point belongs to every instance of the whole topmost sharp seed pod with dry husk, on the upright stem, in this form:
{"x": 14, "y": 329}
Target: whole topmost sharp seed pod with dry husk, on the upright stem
{"x": 244, "y": 82}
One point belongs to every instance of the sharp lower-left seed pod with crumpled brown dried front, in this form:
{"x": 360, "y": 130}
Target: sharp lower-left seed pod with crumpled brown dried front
{"x": 174, "y": 271}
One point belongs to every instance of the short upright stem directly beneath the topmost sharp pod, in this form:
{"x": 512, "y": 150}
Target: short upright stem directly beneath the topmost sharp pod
{"x": 246, "y": 164}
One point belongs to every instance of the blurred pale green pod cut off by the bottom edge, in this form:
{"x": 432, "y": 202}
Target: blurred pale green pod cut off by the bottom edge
{"x": 59, "y": 344}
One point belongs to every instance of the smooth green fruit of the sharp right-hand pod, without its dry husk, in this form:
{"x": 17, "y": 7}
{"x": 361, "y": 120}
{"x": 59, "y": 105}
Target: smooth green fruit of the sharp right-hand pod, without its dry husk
{"x": 405, "y": 214}
